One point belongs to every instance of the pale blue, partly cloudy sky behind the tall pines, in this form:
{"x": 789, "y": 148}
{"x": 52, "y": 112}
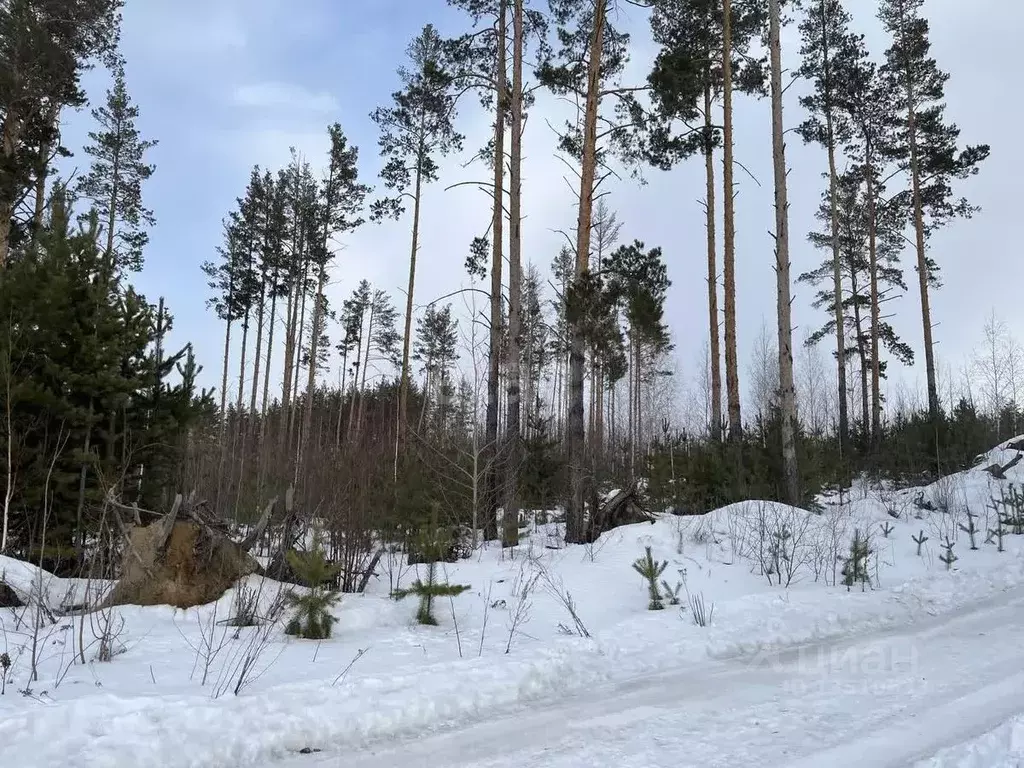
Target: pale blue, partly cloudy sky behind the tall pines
{"x": 225, "y": 86}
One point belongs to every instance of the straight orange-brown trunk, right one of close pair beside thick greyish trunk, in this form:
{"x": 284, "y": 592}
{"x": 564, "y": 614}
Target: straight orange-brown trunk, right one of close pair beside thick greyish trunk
{"x": 730, "y": 255}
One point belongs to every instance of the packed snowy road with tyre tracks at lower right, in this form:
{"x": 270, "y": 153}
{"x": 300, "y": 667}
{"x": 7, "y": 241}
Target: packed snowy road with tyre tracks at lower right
{"x": 886, "y": 700}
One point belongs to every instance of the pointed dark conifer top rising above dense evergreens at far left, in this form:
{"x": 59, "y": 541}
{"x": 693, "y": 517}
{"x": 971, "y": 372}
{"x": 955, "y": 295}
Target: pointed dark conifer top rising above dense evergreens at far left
{"x": 115, "y": 182}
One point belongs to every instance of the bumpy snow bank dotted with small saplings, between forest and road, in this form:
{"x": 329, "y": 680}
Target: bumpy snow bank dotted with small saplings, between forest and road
{"x": 147, "y": 708}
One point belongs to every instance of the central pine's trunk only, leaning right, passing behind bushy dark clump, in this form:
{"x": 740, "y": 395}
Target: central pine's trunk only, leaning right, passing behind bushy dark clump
{"x": 576, "y": 532}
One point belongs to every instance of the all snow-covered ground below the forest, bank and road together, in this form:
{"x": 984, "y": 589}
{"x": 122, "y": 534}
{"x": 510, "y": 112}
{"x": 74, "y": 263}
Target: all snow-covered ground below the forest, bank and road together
{"x": 510, "y": 646}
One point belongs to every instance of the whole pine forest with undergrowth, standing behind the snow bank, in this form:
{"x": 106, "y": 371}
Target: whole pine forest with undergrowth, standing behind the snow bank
{"x": 558, "y": 385}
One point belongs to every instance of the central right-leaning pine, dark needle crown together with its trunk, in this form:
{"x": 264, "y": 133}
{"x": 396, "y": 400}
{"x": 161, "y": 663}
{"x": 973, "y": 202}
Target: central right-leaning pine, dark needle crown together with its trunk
{"x": 586, "y": 67}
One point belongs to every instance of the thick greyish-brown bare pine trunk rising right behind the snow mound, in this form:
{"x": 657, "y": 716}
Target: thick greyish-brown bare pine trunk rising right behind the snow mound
{"x": 787, "y": 387}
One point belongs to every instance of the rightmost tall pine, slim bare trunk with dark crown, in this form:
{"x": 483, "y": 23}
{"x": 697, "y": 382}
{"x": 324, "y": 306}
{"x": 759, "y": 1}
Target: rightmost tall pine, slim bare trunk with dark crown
{"x": 926, "y": 147}
